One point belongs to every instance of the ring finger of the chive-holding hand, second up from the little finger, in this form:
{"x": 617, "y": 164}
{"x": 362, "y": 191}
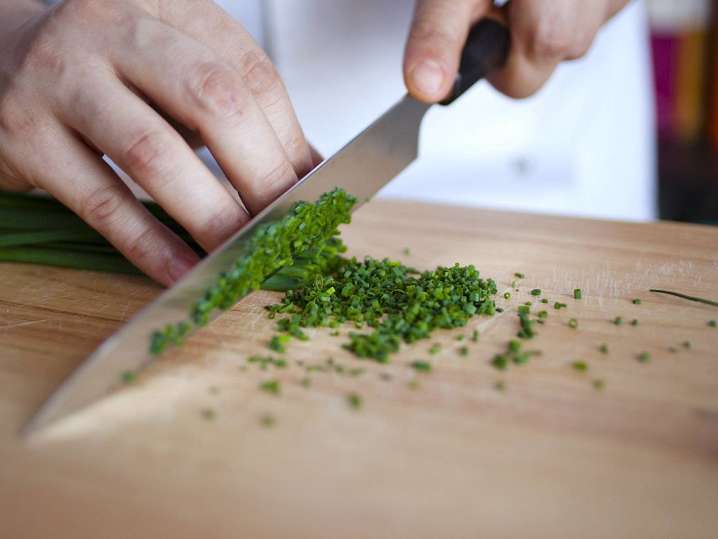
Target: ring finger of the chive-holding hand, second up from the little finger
{"x": 143, "y": 144}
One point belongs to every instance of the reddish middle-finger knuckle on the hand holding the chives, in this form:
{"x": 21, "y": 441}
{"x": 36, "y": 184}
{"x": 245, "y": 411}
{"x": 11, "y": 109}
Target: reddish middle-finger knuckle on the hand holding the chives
{"x": 218, "y": 90}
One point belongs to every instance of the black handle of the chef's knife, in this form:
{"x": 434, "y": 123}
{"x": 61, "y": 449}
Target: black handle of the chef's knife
{"x": 486, "y": 49}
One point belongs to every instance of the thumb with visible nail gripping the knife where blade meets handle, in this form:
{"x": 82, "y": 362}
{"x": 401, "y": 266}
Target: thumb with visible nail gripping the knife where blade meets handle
{"x": 437, "y": 37}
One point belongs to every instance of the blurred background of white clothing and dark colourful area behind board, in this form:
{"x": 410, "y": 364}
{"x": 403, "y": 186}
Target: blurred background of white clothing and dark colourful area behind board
{"x": 628, "y": 132}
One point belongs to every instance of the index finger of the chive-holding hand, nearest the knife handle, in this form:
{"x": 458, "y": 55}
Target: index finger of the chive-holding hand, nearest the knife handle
{"x": 209, "y": 24}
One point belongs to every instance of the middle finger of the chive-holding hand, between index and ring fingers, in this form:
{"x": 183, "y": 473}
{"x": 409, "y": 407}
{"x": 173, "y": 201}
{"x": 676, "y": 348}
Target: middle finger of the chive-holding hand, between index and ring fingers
{"x": 208, "y": 95}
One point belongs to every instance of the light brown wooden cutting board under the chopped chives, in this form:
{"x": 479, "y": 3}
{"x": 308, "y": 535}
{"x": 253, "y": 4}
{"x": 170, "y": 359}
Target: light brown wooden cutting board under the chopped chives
{"x": 184, "y": 452}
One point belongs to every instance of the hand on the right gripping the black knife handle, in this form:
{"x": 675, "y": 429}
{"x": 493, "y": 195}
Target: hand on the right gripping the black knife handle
{"x": 544, "y": 33}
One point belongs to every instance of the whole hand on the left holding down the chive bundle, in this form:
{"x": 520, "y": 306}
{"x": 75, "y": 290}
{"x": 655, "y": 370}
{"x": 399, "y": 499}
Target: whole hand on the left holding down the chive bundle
{"x": 94, "y": 77}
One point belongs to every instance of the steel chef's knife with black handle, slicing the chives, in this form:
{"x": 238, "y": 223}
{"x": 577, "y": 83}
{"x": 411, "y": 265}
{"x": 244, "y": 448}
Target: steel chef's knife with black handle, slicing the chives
{"x": 361, "y": 168}
